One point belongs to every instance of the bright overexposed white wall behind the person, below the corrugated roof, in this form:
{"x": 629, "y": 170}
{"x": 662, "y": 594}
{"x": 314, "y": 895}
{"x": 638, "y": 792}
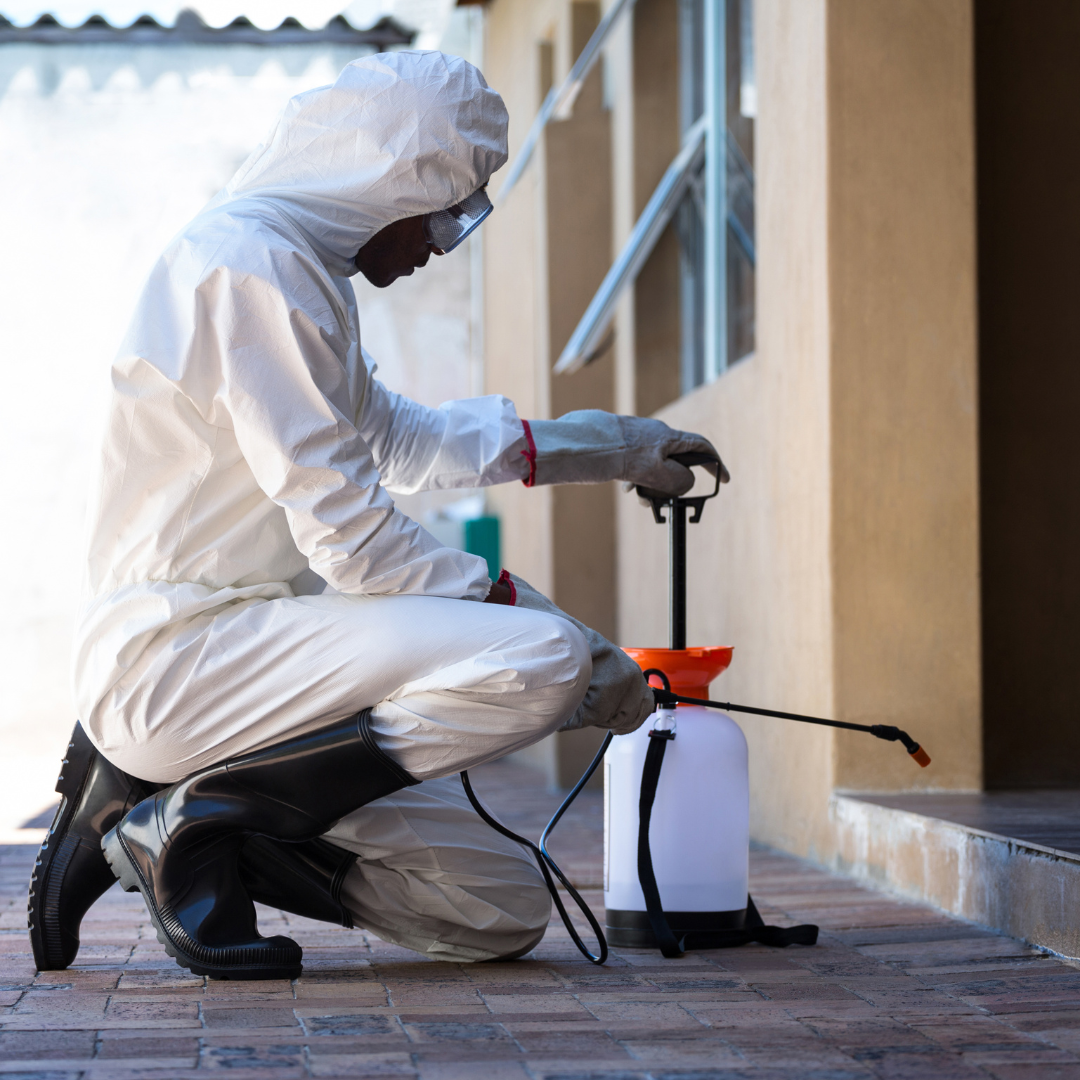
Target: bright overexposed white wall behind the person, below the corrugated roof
{"x": 105, "y": 153}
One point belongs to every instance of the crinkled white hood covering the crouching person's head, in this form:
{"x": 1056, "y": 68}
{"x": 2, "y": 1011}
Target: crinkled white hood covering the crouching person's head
{"x": 397, "y": 136}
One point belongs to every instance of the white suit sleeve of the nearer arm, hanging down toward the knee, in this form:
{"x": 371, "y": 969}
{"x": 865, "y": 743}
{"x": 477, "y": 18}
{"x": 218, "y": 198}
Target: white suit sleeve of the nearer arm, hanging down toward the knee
{"x": 283, "y": 387}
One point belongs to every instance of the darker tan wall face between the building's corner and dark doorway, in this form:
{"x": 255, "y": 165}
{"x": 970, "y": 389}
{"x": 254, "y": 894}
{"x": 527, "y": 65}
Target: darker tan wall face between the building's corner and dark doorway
{"x": 904, "y": 452}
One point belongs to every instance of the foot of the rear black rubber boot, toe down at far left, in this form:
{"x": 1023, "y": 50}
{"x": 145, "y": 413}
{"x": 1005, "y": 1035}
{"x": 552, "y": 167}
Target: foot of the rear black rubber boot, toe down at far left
{"x": 71, "y": 872}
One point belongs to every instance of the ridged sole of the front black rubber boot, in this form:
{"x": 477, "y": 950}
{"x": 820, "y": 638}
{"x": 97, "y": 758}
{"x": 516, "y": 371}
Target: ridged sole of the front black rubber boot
{"x": 213, "y": 963}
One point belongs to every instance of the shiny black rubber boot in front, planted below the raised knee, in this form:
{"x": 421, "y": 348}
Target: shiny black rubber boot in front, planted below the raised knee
{"x": 181, "y": 848}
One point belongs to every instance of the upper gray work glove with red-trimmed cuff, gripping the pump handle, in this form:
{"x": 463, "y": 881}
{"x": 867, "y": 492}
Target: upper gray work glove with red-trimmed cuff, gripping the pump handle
{"x": 591, "y": 447}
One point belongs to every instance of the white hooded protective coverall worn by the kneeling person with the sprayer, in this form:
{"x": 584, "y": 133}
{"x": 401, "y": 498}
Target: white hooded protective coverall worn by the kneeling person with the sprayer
{"x": 248, "y": 441}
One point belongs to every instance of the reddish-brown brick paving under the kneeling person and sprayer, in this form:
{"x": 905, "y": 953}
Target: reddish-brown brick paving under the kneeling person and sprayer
{"x": 893, "y": 991}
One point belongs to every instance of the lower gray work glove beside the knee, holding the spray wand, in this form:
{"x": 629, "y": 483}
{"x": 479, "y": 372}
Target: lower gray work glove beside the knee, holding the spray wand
{"x": 618, "y": 697}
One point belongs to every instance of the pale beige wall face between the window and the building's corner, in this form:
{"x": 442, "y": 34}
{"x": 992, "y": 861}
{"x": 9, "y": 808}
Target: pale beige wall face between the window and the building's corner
{"x": 760, "y": 559}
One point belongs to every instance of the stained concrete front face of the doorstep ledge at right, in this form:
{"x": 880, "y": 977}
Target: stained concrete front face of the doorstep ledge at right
{"x": 1021, "y": 888}
